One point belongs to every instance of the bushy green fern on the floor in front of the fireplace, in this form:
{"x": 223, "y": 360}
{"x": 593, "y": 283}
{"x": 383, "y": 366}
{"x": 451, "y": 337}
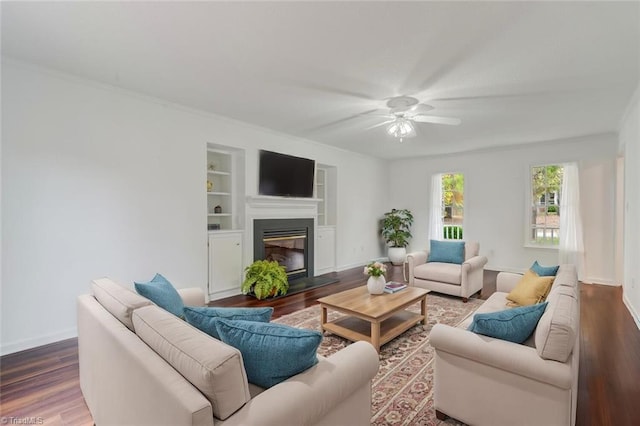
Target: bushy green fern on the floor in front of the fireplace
{"x": 265, "y": 278}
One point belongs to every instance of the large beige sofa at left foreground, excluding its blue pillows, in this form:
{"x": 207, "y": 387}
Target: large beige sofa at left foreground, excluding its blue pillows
{"x": 141, "y": 365}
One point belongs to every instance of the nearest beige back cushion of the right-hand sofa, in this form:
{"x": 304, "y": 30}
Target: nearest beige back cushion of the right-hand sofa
{"x": 558, "y": 327}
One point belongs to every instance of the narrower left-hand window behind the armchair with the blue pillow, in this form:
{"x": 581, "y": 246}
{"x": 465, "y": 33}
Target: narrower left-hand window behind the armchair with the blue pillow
{"x": 452, "y": 205}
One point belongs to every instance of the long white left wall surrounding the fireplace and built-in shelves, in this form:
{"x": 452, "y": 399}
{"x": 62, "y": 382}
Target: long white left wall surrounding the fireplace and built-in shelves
{"x": 97, "y": 181}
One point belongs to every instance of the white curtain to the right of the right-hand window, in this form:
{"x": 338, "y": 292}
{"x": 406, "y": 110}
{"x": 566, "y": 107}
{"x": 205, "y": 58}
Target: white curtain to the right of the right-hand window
{"x": 571, "y": 247}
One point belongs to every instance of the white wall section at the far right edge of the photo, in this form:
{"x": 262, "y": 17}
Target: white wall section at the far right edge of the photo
{"x": 630, "y": 143}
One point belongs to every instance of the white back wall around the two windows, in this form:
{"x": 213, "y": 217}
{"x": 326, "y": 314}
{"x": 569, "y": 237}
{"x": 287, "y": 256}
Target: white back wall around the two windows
{"x": 496, "y": 199}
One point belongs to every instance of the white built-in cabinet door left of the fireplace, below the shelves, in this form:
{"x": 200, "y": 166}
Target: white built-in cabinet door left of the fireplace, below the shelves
{"x": 225, "y": 261}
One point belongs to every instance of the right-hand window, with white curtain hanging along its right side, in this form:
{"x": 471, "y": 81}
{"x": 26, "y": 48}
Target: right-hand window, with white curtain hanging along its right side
{"x": 544, "y": 221}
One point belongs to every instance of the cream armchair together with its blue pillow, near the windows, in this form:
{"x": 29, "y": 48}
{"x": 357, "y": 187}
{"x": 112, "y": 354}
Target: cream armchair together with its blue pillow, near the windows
{"x": 450, "y": 267}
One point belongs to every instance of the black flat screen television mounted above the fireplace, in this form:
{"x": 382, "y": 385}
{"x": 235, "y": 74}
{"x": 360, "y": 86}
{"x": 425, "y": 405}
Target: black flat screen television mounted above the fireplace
{"x": 285, "y": 175}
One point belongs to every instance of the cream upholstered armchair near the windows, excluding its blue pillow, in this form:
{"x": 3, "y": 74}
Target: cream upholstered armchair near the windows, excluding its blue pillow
{"x": 457, "y": 279}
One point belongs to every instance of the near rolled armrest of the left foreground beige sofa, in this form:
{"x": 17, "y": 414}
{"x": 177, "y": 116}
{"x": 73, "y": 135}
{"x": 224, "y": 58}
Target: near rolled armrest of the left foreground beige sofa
{"x": 309, "y": 396}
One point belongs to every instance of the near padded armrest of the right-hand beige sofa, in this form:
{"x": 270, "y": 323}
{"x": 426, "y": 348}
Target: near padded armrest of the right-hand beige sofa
{"x": 507, "y": 356}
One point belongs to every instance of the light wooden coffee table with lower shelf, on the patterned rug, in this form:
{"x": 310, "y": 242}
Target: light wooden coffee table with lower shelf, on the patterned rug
{"x": 376, "y": 319}
